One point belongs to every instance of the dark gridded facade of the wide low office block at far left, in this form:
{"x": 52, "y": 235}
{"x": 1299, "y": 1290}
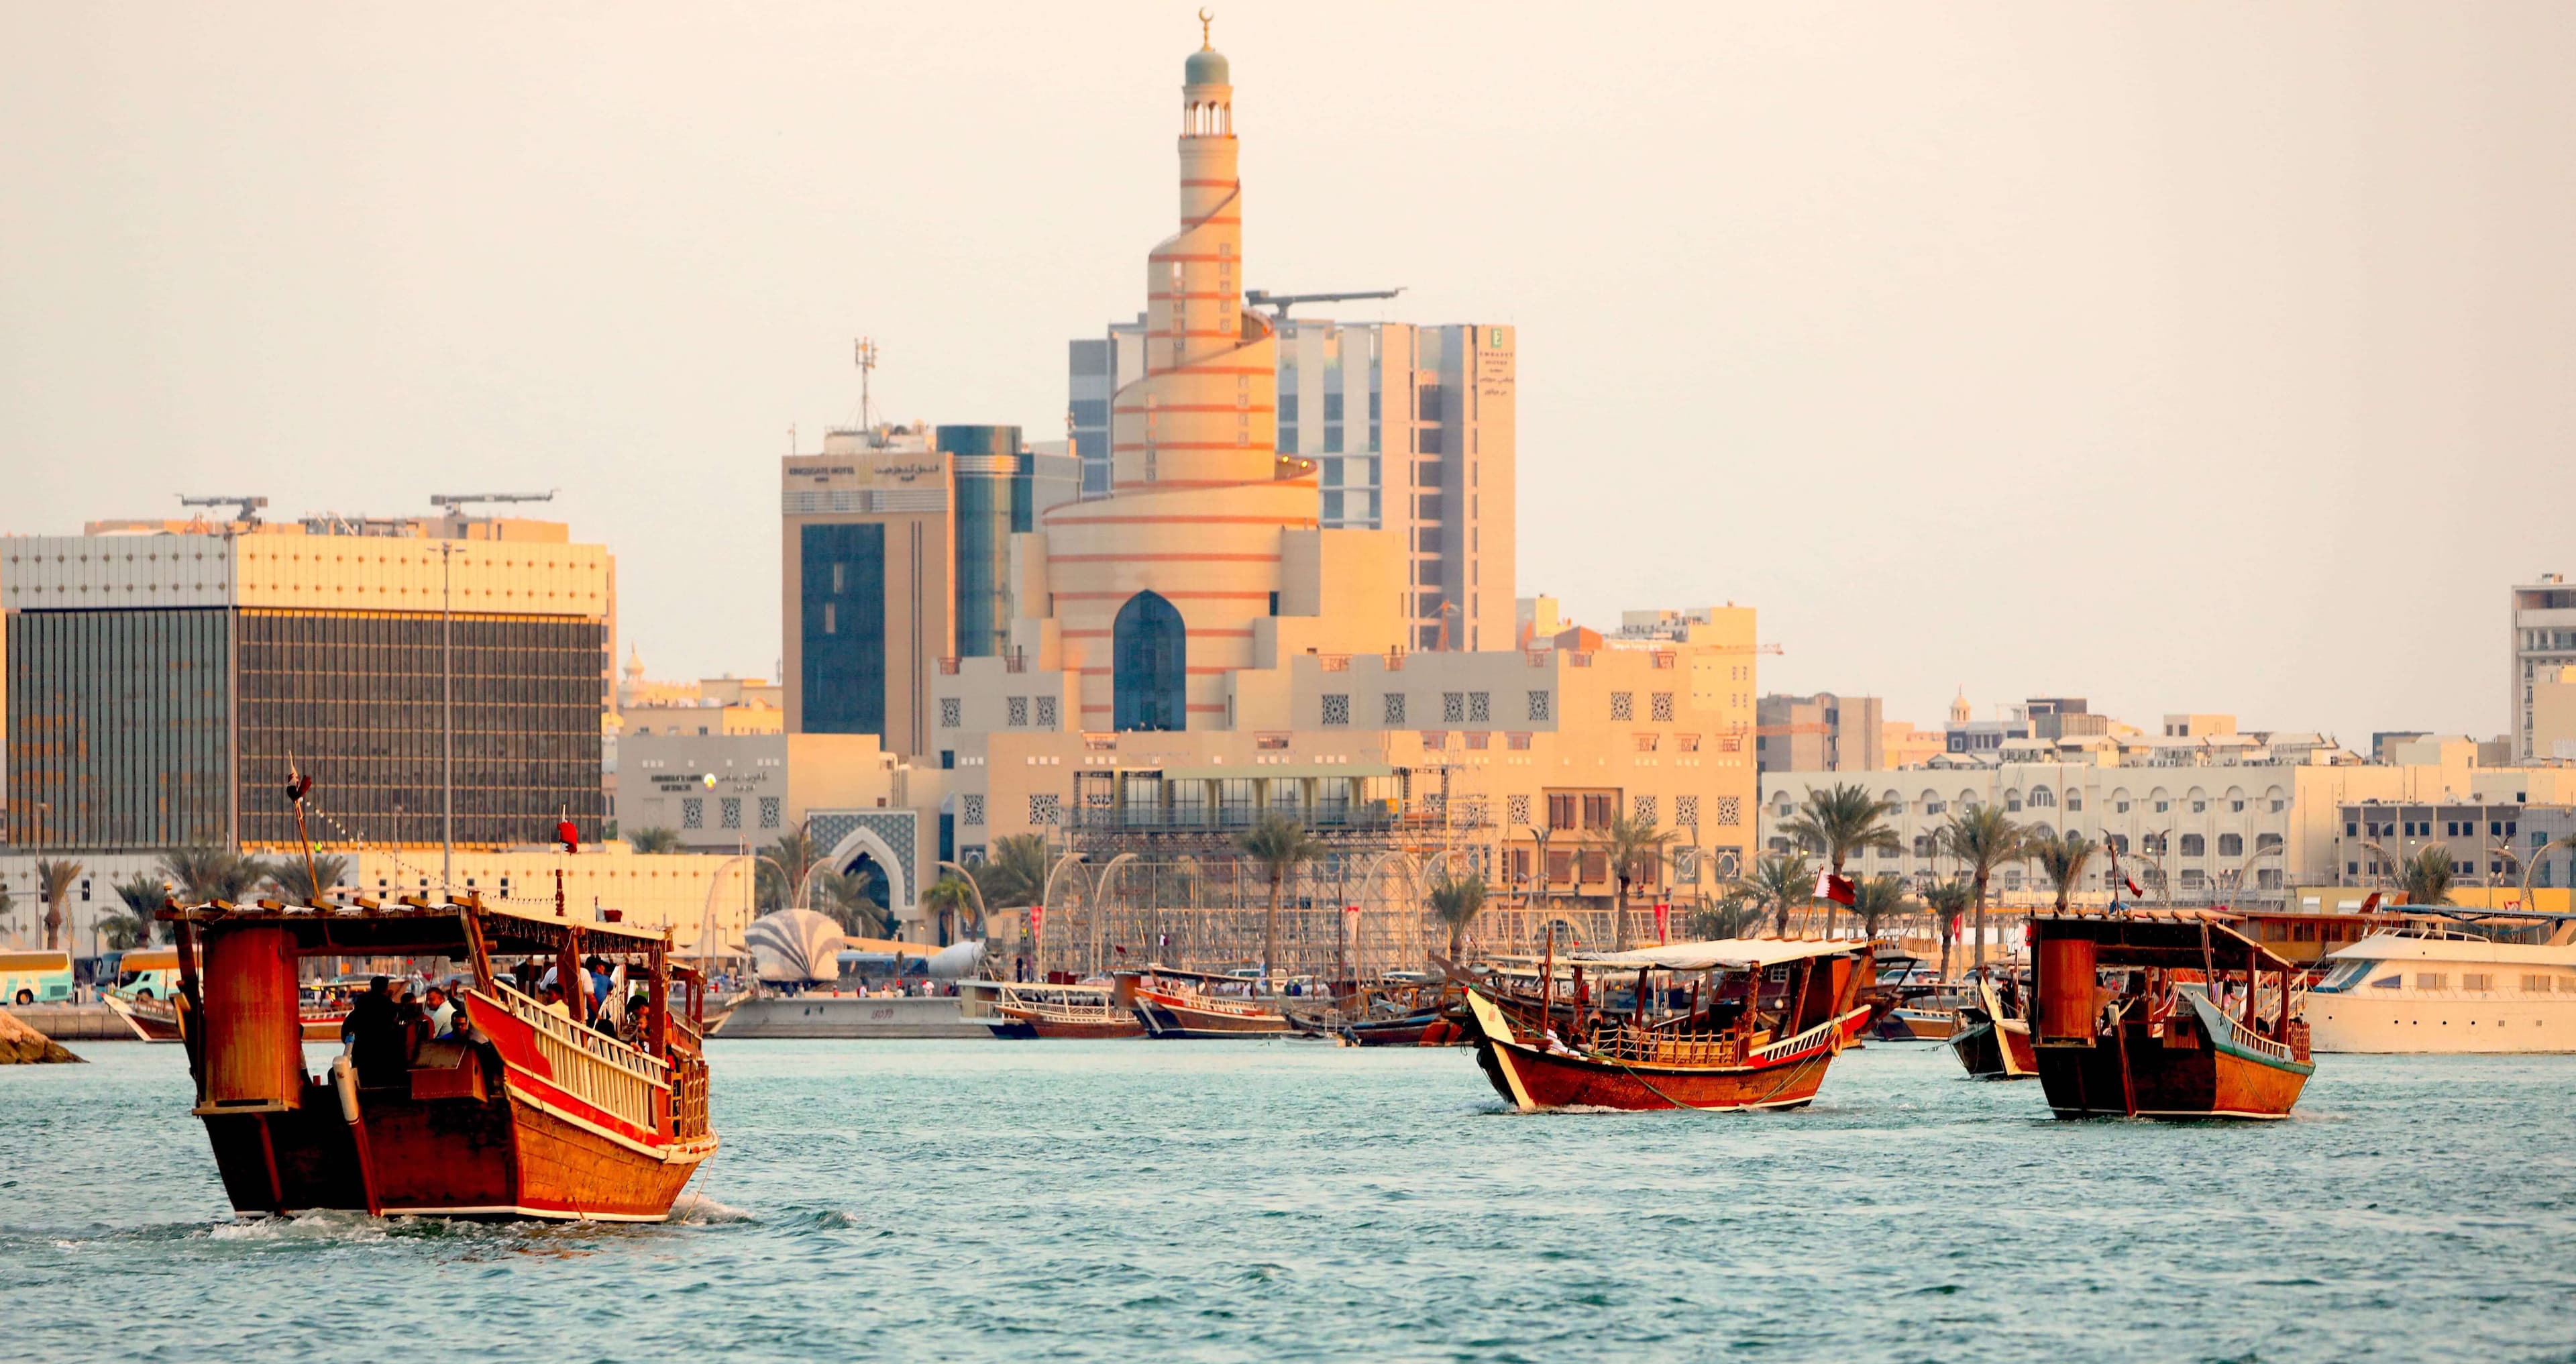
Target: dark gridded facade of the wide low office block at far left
{"x": 171, "y": 728}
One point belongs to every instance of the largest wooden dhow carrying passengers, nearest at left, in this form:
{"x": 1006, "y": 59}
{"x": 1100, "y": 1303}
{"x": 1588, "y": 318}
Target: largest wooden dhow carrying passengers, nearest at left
{"x": 532, "y": 1113}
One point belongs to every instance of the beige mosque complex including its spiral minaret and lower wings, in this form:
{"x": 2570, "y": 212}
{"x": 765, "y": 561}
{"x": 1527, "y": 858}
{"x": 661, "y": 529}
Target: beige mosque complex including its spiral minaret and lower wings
{"x": 1199, "y": 646}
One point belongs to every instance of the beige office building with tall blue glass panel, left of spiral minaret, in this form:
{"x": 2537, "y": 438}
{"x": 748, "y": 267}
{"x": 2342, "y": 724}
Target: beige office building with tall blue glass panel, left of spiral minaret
{"x": 898, "y": 558}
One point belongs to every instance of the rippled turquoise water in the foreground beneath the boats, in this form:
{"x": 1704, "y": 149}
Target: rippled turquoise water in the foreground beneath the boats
{"x": 1284, "y": 1200}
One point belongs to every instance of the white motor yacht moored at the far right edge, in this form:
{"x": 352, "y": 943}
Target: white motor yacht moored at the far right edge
{"x": 2438, "y": 991}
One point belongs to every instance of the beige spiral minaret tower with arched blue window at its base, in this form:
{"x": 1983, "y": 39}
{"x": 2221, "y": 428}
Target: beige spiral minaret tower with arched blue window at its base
{"x": 1199, "y": 494}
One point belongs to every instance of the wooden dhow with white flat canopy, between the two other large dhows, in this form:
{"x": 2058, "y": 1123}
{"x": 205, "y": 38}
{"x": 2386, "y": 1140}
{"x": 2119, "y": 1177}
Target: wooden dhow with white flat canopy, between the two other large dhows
{"x": 1758, "y": 1028}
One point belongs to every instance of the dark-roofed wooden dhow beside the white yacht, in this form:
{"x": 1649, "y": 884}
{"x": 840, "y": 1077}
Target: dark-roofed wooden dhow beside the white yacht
{"x": 2155, "y": 1043}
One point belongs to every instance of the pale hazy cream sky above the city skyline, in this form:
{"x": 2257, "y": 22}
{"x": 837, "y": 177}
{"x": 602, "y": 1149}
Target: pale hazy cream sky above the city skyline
{"x": 2181, "y": 357}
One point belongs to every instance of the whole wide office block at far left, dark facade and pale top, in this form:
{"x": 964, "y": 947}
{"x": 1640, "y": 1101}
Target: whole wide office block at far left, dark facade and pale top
{"x": 166, "y": 679}
